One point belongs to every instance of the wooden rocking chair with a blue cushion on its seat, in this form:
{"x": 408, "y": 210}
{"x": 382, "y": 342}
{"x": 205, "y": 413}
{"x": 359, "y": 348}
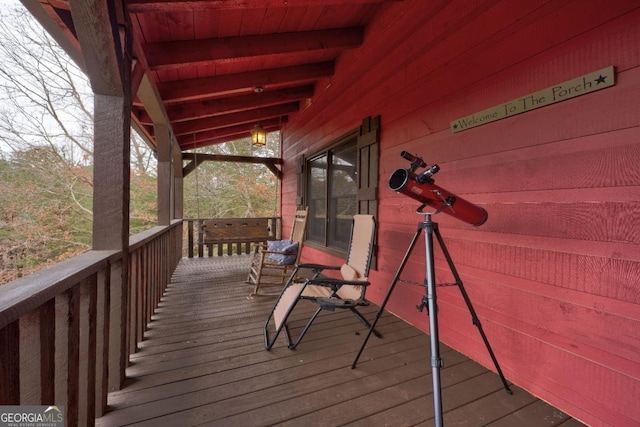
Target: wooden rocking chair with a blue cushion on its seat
{"x": 274, "y": 260}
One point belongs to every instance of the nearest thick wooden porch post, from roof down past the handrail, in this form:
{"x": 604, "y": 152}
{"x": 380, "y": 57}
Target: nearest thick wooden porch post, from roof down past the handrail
{"x": 104, "y": 33}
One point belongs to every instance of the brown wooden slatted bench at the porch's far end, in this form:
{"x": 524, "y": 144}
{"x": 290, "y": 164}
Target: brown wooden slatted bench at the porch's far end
{"x": 236, "y": 232}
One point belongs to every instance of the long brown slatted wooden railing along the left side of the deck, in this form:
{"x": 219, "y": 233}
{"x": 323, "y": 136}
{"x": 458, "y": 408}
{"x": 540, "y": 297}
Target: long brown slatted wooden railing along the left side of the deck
{"x": 66, "y": 332}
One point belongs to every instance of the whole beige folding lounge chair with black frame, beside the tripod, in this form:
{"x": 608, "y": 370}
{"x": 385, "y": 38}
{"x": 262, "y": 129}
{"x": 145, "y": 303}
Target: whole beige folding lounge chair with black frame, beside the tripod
{"x": 347, "y": 292}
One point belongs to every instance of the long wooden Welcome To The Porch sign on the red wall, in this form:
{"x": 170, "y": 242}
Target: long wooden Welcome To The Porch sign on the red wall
{"x": 570, "y": 89}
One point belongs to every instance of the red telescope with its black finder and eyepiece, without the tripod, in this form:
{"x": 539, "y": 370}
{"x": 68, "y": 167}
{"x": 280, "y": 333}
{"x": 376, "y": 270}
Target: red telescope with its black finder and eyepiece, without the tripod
{"x": 421, "y": 187}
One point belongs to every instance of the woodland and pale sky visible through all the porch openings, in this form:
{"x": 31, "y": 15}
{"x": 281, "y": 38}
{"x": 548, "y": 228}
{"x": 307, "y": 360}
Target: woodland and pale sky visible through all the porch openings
{"x": 46, "y": 158}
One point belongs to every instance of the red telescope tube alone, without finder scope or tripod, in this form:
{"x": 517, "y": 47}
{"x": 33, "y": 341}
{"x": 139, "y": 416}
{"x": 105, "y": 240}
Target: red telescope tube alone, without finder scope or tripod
{"x": 405, "y": 181}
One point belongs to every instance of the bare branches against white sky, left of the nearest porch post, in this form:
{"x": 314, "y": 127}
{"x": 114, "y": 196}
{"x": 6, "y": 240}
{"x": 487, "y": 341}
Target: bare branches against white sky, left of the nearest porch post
{"x": 46, "y": 99}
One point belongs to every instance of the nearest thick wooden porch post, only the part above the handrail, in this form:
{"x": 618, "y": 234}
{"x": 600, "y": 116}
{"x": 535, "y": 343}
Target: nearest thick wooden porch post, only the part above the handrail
{"x": 108, "y": 68}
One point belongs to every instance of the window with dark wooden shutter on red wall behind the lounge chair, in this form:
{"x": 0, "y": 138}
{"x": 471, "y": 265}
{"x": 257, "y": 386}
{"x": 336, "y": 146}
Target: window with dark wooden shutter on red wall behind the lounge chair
{"x": 337, "y": 183}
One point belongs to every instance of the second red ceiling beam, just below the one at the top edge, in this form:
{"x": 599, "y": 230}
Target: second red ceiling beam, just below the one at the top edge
{"x": 172, "y": 54}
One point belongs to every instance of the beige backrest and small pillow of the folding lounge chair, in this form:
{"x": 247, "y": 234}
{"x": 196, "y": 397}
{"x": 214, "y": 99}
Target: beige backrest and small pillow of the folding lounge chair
{"x": 359, "y": 255}
